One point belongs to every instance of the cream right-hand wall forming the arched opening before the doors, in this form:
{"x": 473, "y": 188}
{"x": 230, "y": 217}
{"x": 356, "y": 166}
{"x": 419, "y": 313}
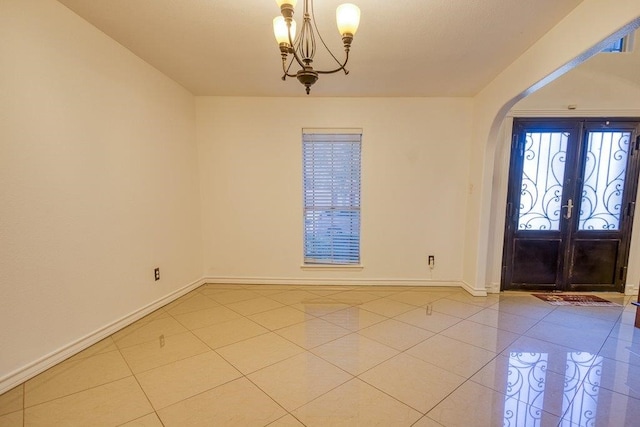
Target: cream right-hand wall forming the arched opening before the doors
{"x": 589, "y": 28}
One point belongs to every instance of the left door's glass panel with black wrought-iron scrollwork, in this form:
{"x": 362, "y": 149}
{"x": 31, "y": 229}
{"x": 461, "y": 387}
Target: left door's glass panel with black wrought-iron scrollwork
{"x": 542, "y": 176}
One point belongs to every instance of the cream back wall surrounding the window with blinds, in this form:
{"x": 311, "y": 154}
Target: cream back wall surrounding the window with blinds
{"x": 414, "y": 186}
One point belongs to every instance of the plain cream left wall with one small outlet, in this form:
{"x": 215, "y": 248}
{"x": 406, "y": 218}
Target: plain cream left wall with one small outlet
{"x": 98, "y": 183}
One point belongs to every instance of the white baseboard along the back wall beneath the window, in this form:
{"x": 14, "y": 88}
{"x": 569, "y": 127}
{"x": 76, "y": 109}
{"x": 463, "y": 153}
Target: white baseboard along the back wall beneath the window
{"x": 234, "y": 280}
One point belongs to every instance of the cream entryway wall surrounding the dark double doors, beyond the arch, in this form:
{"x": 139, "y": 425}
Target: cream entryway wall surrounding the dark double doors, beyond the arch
{"x": 597, "y": 89}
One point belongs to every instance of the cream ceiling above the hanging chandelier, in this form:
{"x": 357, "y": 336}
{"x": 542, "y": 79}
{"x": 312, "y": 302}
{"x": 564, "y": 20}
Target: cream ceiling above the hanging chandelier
{"x": 402, "y": 48}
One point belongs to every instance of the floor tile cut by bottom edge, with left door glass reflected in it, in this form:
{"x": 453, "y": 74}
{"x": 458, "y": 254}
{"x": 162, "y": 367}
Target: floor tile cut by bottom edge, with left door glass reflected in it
{"x": 486, "y": 407}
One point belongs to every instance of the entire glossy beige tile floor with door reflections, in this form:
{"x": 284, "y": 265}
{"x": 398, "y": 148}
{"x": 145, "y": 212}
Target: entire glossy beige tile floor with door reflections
{"x": 228, "y": 355}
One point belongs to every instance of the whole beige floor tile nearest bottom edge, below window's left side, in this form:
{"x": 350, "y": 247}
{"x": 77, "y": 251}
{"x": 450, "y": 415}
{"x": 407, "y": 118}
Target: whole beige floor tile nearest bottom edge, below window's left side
{"x": 298, "y": 380}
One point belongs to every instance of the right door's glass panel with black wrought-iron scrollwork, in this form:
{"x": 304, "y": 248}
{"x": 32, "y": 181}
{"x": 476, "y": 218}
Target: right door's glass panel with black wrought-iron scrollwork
{"x": 604, "y": 174}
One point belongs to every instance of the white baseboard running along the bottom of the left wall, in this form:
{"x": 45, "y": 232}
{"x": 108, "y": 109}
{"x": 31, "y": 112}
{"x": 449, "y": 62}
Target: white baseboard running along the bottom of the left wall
{"x": 32, "y": 369}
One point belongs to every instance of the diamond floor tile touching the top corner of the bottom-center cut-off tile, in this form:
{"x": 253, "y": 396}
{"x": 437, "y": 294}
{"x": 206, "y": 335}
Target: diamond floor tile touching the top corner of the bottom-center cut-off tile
{"x": 355, "y": 353}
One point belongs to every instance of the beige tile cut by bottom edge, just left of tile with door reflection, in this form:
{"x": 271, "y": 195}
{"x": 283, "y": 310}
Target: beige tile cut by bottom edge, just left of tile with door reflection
{"x": 356, "y": 404}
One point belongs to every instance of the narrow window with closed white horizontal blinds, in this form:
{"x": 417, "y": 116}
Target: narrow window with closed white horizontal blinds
{"x": 331, "y": 180}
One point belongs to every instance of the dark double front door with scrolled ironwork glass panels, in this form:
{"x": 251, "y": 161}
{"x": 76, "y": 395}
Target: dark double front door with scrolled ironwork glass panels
{"x": 570, "y": 204}
